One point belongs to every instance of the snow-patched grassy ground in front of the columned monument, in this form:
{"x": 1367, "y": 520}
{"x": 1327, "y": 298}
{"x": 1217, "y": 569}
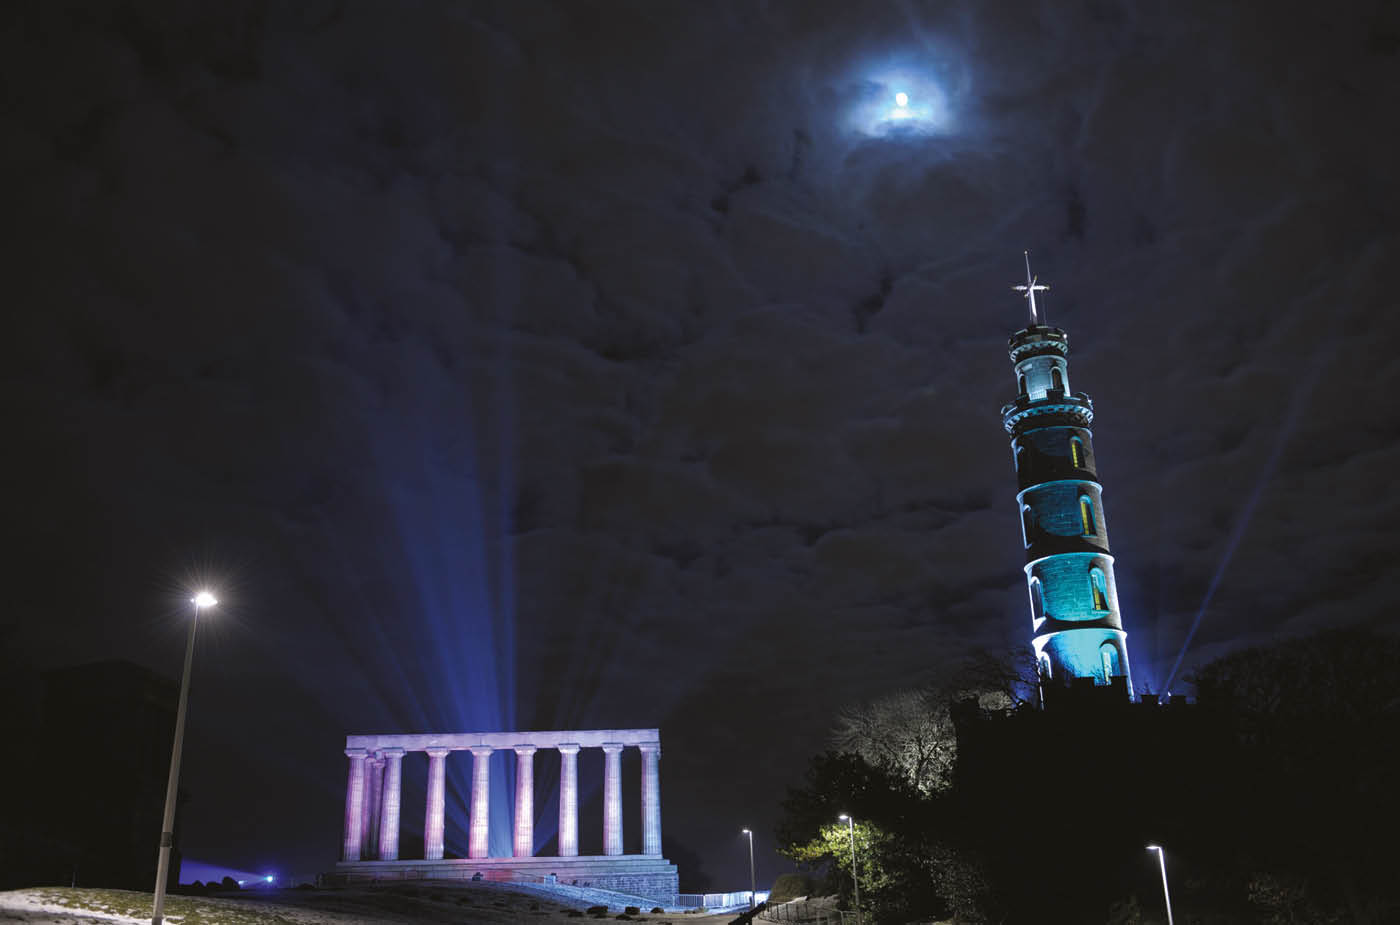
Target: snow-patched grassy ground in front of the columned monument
{"x": 489, "y": 903}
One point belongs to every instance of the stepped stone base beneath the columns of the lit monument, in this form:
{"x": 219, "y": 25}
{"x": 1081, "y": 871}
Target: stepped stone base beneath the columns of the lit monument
{"x": 639, "y": 875}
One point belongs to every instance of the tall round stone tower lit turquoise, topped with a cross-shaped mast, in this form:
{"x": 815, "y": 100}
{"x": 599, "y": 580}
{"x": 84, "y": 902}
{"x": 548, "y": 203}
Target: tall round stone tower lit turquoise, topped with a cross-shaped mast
{"x": 1074, "y": 602}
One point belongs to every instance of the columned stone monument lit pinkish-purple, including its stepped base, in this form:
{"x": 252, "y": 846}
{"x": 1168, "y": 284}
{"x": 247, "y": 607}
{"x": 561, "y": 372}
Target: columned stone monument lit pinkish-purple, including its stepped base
{"x": 374, "y": 801}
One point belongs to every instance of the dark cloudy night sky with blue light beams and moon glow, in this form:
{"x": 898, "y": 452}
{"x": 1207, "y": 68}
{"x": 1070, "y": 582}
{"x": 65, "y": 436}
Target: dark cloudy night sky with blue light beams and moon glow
{"x": 548, "y": 366}
